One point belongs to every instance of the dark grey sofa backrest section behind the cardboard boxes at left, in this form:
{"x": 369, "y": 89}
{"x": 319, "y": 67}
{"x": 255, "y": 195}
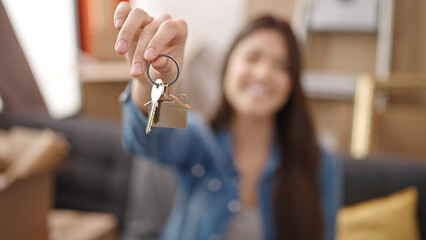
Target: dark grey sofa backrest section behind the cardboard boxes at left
{"x": 94, "y": 177}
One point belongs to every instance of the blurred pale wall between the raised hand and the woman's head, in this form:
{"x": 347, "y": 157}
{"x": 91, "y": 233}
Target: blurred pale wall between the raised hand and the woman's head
{"x": 212, "y": 25}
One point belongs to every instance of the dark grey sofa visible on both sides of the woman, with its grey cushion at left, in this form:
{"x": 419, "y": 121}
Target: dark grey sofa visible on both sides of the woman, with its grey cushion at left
{"x": 99, "y": 176}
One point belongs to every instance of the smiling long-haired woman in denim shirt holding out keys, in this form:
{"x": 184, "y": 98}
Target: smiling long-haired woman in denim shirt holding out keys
{"x": 256, "y": 171}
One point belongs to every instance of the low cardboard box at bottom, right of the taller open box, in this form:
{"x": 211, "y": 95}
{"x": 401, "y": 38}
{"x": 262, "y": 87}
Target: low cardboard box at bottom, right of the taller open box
{"x": 71, "y": 225}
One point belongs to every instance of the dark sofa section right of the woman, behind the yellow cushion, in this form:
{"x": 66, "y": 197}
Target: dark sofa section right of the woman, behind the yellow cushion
{"x": 379, "y": 176}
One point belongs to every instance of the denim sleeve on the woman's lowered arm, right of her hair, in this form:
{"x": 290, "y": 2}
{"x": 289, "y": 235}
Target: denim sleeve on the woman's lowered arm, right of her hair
{"x": 331, "y": 190}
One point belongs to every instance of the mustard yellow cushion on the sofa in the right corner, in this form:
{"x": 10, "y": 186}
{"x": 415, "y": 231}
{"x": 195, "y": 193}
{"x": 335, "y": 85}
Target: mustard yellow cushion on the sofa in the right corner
{"x": 388, "y": 218}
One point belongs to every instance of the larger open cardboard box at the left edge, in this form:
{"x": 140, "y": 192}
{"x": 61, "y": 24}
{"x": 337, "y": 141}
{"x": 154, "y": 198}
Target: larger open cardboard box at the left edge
{"x": 26, "y": 182}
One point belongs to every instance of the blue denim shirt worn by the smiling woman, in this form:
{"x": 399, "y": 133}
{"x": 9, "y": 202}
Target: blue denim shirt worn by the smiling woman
{"x": 207, "y": 181}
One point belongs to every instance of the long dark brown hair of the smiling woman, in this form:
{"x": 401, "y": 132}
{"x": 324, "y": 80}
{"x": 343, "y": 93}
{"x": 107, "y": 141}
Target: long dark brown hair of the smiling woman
{"x": 296, "y": 199}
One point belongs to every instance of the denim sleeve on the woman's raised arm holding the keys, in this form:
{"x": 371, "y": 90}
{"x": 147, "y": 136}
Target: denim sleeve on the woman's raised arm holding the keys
{"x": 165, "y": 145}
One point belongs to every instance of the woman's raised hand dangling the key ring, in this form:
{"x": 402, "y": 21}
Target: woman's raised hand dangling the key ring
{"x": 143, "y": 38}
